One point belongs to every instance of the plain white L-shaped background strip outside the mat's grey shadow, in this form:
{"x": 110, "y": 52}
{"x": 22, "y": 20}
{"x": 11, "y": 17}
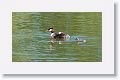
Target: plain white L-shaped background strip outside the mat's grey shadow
{"x": 76, "y": 77}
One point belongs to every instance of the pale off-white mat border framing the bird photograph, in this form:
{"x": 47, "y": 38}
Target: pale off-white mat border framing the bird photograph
{"x": 104, "y": 67}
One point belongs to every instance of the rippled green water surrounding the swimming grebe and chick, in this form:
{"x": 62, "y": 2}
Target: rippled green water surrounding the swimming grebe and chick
{"x": 31, "y": 41}
